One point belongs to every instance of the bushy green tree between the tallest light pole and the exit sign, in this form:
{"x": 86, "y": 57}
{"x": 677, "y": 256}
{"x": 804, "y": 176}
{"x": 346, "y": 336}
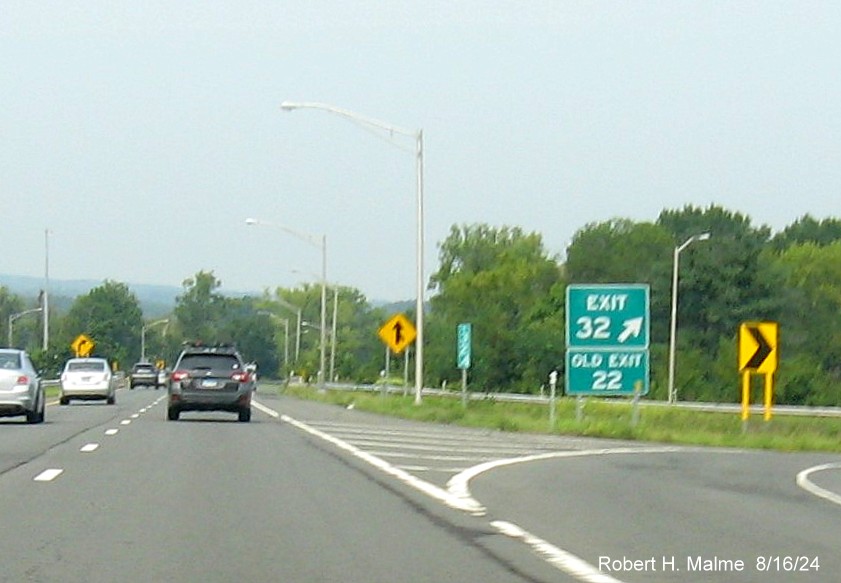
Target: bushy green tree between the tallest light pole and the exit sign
{"x": 493, "y": 278}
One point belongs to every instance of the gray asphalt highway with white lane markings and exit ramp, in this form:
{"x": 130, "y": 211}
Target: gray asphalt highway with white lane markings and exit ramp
{"x": 309, "y": 492}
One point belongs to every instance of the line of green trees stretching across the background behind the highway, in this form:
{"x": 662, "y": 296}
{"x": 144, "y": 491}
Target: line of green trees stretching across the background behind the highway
{"x": 505, "y": 283}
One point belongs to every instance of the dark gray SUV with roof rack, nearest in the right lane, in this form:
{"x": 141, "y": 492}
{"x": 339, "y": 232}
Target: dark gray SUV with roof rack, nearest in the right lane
{"x": 210, "y": 378}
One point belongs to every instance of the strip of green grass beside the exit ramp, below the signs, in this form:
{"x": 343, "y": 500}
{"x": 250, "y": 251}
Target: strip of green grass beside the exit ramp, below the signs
{"x": 610, "y": 420}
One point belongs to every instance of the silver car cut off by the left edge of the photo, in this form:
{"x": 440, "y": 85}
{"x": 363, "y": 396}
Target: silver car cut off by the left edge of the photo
{"x": 21, "y": 392}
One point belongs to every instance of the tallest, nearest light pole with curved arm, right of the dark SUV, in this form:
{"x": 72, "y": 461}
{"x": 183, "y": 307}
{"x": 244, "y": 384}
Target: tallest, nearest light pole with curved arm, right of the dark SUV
{"x": 418, "y": 137}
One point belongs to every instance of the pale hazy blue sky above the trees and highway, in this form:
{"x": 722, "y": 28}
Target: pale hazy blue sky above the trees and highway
{"x": 142, "y": 135}
